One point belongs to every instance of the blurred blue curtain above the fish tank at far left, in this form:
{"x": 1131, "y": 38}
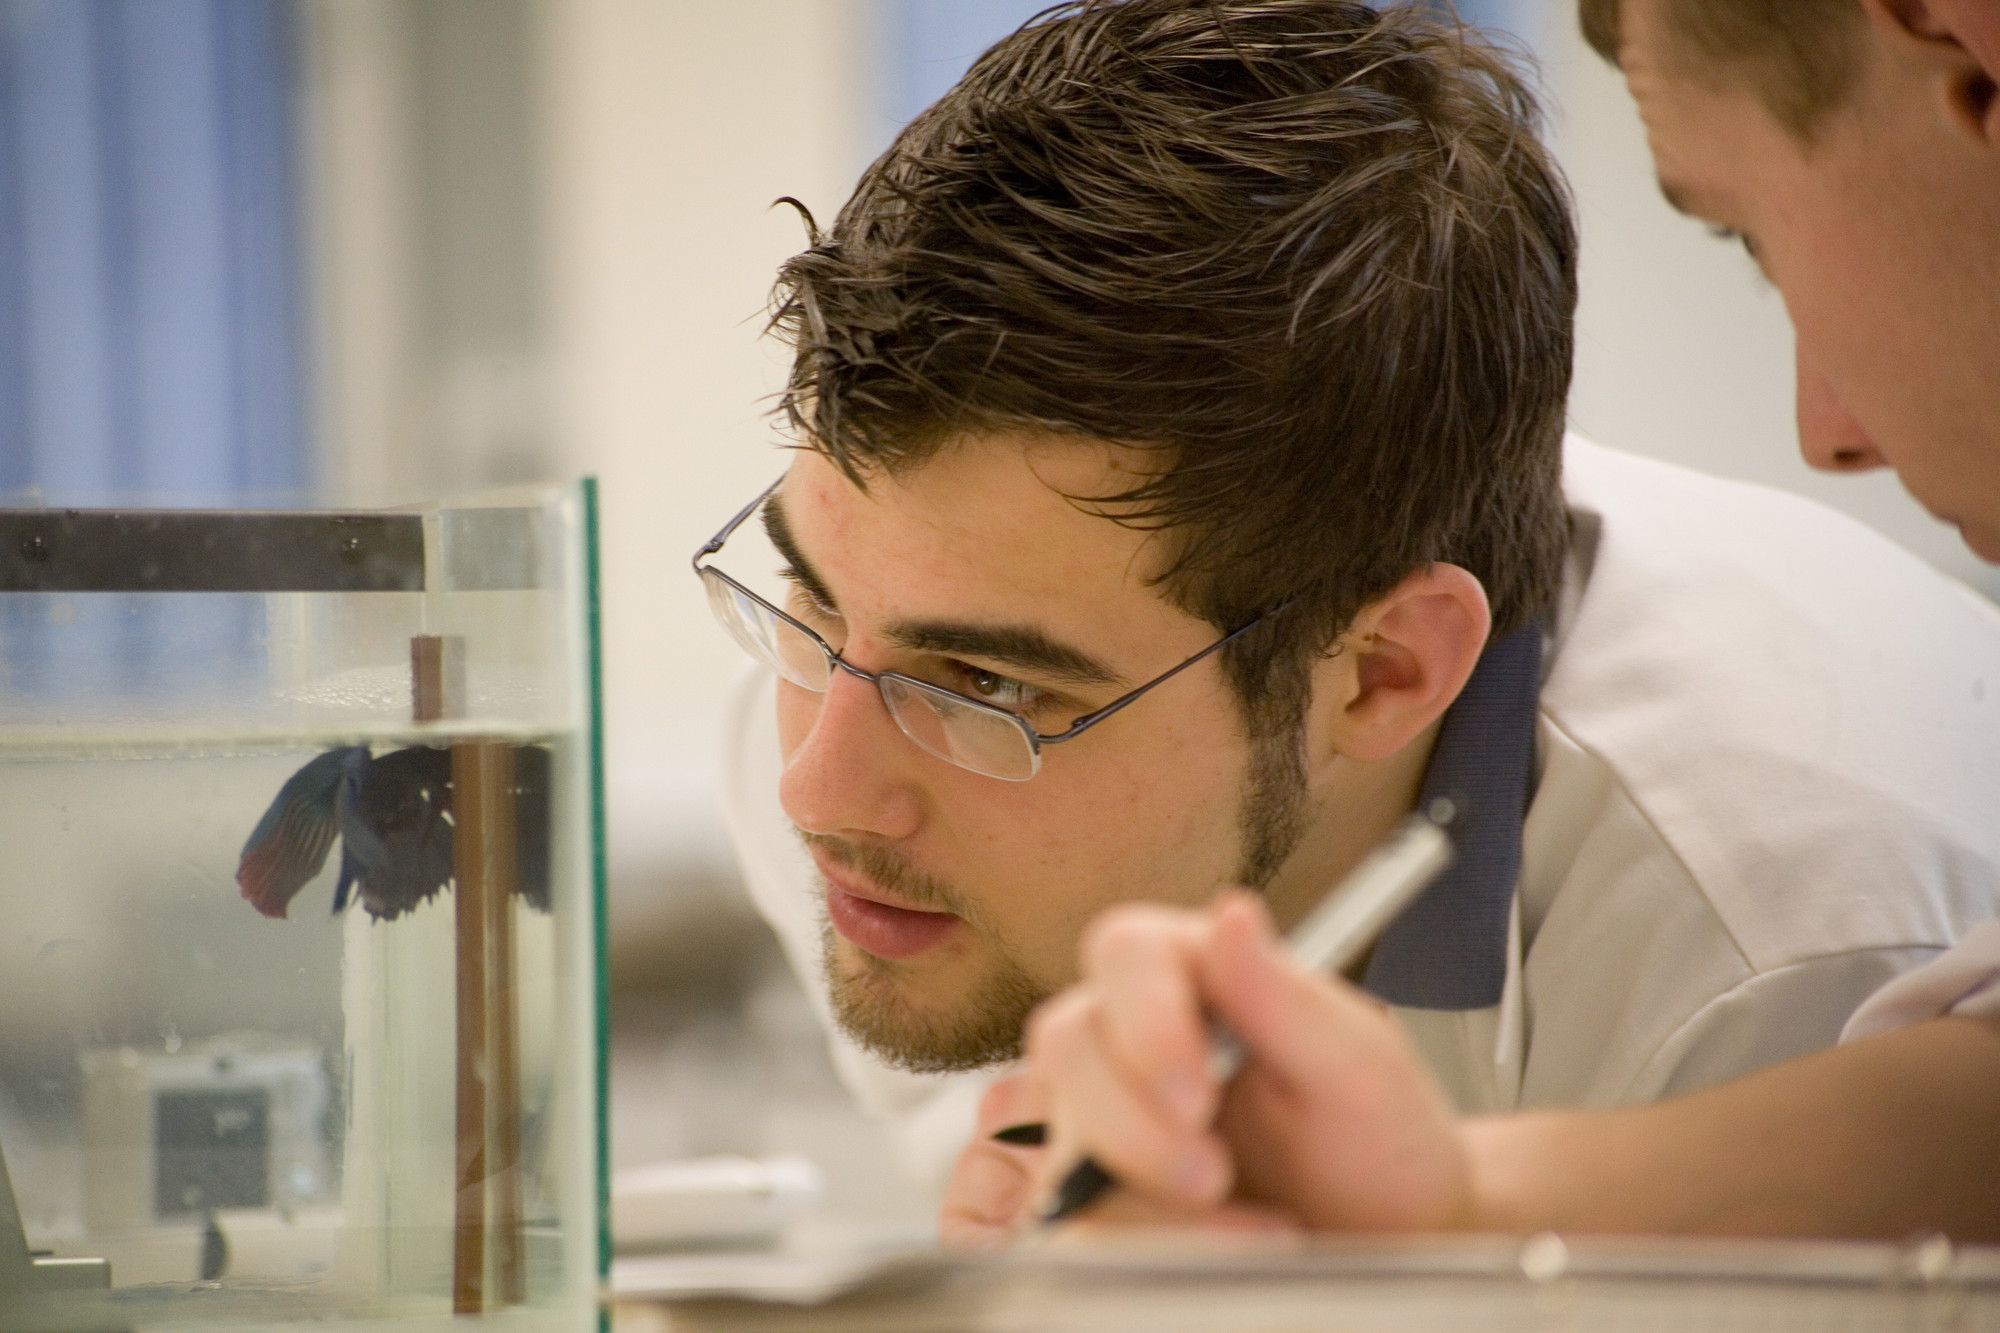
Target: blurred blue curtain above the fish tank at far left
{"x": 149, "y": 249}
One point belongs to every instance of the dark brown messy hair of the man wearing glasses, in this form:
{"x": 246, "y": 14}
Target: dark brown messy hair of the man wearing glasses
{"x": 1311, "y": 253}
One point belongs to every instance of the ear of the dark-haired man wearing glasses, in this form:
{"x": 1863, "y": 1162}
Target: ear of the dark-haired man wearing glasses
{"x": 1401, "y": 663}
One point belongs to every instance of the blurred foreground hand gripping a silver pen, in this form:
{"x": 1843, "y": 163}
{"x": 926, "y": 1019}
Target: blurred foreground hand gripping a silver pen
{"x": 1335, "y": 1122}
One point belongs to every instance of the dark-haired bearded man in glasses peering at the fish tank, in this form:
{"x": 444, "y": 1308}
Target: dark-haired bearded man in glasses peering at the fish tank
{"x": 1183, "y": 497}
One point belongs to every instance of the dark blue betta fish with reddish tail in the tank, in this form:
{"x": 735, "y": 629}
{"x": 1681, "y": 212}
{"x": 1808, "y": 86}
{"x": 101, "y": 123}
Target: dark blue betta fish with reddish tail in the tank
{"x": 395, "y": 824}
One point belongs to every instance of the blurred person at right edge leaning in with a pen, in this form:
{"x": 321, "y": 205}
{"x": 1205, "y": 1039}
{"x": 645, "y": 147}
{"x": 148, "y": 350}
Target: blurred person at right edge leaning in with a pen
{"x": 1853, "y": 147}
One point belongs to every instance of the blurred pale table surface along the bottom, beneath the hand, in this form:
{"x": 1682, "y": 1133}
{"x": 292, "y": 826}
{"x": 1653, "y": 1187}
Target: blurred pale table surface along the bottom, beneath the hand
{"x": 1185, "y": 1284}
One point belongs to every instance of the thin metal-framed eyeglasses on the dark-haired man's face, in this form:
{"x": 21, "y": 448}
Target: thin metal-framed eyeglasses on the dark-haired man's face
{"x": 965, "y": 732}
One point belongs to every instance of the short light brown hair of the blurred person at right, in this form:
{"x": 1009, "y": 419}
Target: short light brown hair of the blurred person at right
{"x": 1799, "y": 55}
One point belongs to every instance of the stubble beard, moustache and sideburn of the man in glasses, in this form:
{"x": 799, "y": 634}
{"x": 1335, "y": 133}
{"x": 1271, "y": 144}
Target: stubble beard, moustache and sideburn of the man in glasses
{"x": 985, "y": 1028}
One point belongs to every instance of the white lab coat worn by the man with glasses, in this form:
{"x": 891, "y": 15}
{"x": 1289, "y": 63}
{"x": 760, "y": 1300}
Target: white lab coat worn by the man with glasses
{"x": 1767, "y": 752}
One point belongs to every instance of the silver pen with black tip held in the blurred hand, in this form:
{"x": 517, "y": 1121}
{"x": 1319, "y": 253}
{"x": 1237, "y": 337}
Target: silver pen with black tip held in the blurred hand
{"x": 1325, "y": 942}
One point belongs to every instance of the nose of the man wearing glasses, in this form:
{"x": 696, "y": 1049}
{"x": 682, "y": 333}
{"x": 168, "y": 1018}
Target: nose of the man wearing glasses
{"x": 849, "y": 772}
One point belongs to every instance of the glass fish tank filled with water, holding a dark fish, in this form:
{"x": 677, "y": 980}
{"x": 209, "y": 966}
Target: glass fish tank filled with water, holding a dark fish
{"x": 301, "y": 918}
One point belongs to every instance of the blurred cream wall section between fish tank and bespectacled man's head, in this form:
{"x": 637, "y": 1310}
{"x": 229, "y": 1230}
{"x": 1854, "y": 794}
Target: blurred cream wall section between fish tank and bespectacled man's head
{"x": 673, "y": 125}
